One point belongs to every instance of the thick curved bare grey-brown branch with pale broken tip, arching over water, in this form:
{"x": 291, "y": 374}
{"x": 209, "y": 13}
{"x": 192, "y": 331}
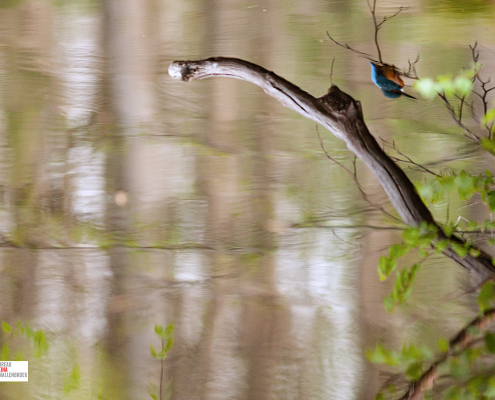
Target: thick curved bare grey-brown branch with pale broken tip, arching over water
{"x": 343, "y": 116}
